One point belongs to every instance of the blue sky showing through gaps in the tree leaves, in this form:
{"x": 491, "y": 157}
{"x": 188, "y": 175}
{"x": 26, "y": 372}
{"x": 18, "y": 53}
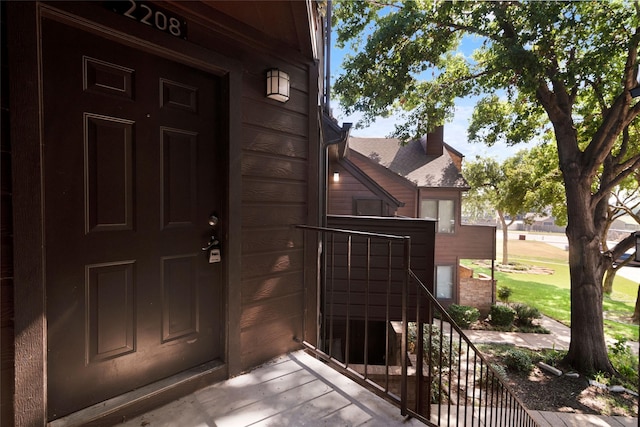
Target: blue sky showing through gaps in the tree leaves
{"x": 455, "y": 132}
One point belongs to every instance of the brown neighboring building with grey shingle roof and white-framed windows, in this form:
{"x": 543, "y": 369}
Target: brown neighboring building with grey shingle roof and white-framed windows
{"x": 422, "y": 179}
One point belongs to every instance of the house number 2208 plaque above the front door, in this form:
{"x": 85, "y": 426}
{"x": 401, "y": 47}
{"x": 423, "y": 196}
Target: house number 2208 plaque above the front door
{"x": 151, "y": 15}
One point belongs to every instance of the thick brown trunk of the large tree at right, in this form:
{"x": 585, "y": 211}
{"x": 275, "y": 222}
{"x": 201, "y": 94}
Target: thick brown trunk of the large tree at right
{"x": 588, "y": 349}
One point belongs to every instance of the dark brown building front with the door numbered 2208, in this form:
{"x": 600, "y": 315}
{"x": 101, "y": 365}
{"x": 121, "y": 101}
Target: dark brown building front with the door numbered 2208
{"x": 126, "y": 128}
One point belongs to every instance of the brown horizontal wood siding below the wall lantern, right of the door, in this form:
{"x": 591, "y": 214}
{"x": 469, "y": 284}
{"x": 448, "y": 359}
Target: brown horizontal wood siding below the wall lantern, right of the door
{"x": 275, "y": 190}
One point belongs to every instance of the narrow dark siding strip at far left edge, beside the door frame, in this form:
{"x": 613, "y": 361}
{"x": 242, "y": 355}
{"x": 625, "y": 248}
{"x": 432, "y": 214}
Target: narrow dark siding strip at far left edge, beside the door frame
{"x": 6, "y": 238}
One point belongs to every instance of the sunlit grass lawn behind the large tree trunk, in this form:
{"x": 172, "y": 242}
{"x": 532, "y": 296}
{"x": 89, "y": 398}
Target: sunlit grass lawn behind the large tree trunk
{"x": 549, "y": 293}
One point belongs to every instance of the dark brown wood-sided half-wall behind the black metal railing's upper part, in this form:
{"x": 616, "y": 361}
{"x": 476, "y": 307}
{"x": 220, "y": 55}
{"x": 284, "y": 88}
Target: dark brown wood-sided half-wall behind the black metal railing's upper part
{"x": 422, "y": 234}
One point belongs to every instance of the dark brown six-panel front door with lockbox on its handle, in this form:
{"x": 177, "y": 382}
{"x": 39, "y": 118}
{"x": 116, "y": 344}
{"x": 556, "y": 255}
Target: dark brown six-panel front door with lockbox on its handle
{"x": 132, "y": 175}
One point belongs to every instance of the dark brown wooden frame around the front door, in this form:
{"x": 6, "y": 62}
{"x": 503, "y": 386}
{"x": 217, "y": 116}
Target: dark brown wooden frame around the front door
{"x": 26, "y": 112}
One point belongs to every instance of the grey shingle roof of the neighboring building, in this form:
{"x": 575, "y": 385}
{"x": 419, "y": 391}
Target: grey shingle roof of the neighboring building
{"x": 411, "y": 162}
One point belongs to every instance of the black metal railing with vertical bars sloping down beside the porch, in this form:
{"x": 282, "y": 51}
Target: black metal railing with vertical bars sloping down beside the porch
{"x": 380, "y": 325}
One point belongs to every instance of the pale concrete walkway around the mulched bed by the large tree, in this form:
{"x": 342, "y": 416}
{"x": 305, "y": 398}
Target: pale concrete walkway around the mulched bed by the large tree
{"x": 558, "y": 339}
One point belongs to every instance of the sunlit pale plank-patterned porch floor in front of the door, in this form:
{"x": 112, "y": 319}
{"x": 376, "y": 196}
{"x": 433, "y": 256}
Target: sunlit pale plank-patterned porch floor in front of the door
{"x": 292, "y": 390}
